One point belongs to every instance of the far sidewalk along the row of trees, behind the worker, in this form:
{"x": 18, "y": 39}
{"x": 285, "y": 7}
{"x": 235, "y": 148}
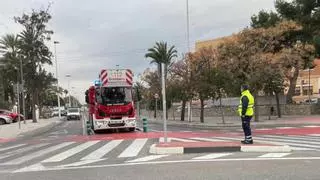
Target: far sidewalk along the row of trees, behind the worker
{"x": 231, "y": 122}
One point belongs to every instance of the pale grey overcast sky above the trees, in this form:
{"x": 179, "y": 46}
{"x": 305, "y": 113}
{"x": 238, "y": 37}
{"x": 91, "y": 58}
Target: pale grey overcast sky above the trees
{"x": 100, "y": 34}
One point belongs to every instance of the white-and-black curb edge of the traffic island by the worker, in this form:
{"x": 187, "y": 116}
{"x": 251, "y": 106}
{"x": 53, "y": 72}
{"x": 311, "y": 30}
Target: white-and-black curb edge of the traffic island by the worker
{"x": 246, "y": 148}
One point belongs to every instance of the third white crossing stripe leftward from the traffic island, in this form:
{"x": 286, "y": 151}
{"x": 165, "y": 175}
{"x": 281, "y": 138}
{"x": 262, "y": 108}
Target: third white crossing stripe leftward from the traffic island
{"x": 64, "y": 155}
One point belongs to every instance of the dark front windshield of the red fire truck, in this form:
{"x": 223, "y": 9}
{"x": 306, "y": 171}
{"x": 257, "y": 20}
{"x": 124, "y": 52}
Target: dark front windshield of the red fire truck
{"x": 116, "y": 95}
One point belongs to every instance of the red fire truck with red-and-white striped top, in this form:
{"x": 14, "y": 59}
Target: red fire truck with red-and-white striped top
{"x": 110, "y": 101}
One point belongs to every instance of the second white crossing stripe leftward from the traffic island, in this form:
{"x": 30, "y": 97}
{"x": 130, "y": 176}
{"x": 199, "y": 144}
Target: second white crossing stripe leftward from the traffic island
{"x": 99, "y": 153}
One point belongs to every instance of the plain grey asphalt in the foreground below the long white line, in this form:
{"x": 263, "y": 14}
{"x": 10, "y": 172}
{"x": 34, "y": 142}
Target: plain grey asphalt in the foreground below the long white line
{"x": 237, "y": 170}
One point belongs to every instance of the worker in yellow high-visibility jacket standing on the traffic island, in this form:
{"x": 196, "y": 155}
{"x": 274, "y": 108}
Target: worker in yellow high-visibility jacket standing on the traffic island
{"x": 246, "y": 112}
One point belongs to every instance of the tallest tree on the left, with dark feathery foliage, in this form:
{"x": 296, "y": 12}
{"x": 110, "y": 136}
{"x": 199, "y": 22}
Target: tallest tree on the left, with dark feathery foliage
{"x": 34, "y": 51}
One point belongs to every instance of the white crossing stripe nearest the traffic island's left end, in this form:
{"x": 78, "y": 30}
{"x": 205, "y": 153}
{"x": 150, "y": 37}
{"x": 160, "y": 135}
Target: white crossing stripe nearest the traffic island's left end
{"x": 134, "y": 148}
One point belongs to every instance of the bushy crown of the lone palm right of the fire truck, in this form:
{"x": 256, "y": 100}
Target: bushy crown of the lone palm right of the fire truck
{"x": 160, "y": 53}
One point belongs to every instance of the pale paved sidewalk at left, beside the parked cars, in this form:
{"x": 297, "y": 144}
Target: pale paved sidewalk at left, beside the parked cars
{"x": 12, "y": 131}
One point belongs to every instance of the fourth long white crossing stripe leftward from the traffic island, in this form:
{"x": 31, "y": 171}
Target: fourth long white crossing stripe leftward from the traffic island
{"x": 37, "y": 154}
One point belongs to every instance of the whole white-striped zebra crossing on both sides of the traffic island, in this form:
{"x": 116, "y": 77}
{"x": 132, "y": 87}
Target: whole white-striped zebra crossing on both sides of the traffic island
{"x": 70, "y": 154}
